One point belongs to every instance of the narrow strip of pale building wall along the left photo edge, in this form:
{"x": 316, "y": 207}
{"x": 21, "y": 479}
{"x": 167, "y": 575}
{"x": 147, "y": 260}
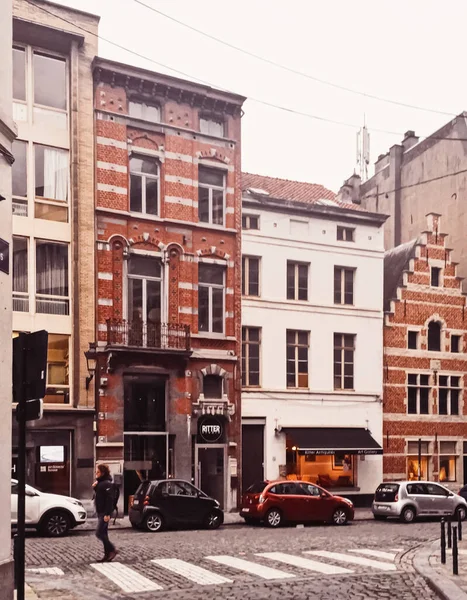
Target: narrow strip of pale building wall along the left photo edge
{"x": 7, "y": 135}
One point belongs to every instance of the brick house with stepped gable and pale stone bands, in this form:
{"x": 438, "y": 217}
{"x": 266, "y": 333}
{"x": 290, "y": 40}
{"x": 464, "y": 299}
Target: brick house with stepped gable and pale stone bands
{"x": 424, "y": 362}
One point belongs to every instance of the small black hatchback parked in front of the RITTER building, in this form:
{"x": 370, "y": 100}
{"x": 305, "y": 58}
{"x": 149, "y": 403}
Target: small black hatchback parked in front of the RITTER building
{"x": 172, "y": 503}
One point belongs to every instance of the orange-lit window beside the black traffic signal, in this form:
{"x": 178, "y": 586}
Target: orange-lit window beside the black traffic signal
{"x": 57, "y": 391}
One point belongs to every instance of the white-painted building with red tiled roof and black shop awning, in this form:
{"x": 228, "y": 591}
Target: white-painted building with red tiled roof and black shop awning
{"x": 312, "y": 316}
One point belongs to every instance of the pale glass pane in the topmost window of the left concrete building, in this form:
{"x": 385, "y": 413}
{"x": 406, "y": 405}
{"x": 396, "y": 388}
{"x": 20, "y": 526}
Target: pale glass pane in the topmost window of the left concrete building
{"x": 49, "y": 81}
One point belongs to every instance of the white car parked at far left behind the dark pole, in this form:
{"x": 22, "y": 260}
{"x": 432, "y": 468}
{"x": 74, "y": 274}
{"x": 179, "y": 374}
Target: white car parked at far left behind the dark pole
{"x": 51, "y": 514}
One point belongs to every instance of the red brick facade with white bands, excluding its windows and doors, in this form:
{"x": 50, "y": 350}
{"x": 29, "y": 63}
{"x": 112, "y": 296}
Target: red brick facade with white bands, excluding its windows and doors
{"x": 179, "y": 242}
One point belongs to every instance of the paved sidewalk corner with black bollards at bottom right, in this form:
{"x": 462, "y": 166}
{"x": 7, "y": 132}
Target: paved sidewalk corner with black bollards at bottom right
{"x": 427, "y": 562}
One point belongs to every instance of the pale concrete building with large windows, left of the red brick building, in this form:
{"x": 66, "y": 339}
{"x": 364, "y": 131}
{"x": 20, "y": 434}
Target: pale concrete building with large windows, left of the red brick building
{"x": 53, "y": 230}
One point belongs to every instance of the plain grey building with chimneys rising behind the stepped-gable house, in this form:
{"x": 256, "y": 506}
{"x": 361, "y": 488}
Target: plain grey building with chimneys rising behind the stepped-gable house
{"x": 417, "y": 177}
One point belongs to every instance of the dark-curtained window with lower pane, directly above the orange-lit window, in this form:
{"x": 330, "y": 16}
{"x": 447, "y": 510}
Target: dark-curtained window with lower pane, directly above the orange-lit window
{"x": 52, "y": 278}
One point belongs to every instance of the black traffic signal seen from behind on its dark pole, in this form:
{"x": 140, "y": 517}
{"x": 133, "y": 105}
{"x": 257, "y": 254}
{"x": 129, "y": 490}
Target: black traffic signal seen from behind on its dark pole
{"x": 29, "y": 383}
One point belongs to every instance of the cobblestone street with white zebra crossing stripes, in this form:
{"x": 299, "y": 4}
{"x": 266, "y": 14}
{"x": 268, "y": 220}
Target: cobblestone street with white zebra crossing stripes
{"x": 363, "y": 560}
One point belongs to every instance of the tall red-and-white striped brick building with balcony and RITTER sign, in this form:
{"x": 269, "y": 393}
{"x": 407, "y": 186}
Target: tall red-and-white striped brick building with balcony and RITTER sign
{"x": 168, "y": 221}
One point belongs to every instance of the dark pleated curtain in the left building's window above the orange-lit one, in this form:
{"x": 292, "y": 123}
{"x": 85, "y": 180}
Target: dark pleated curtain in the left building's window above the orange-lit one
{"x": 52, "y": 269}
